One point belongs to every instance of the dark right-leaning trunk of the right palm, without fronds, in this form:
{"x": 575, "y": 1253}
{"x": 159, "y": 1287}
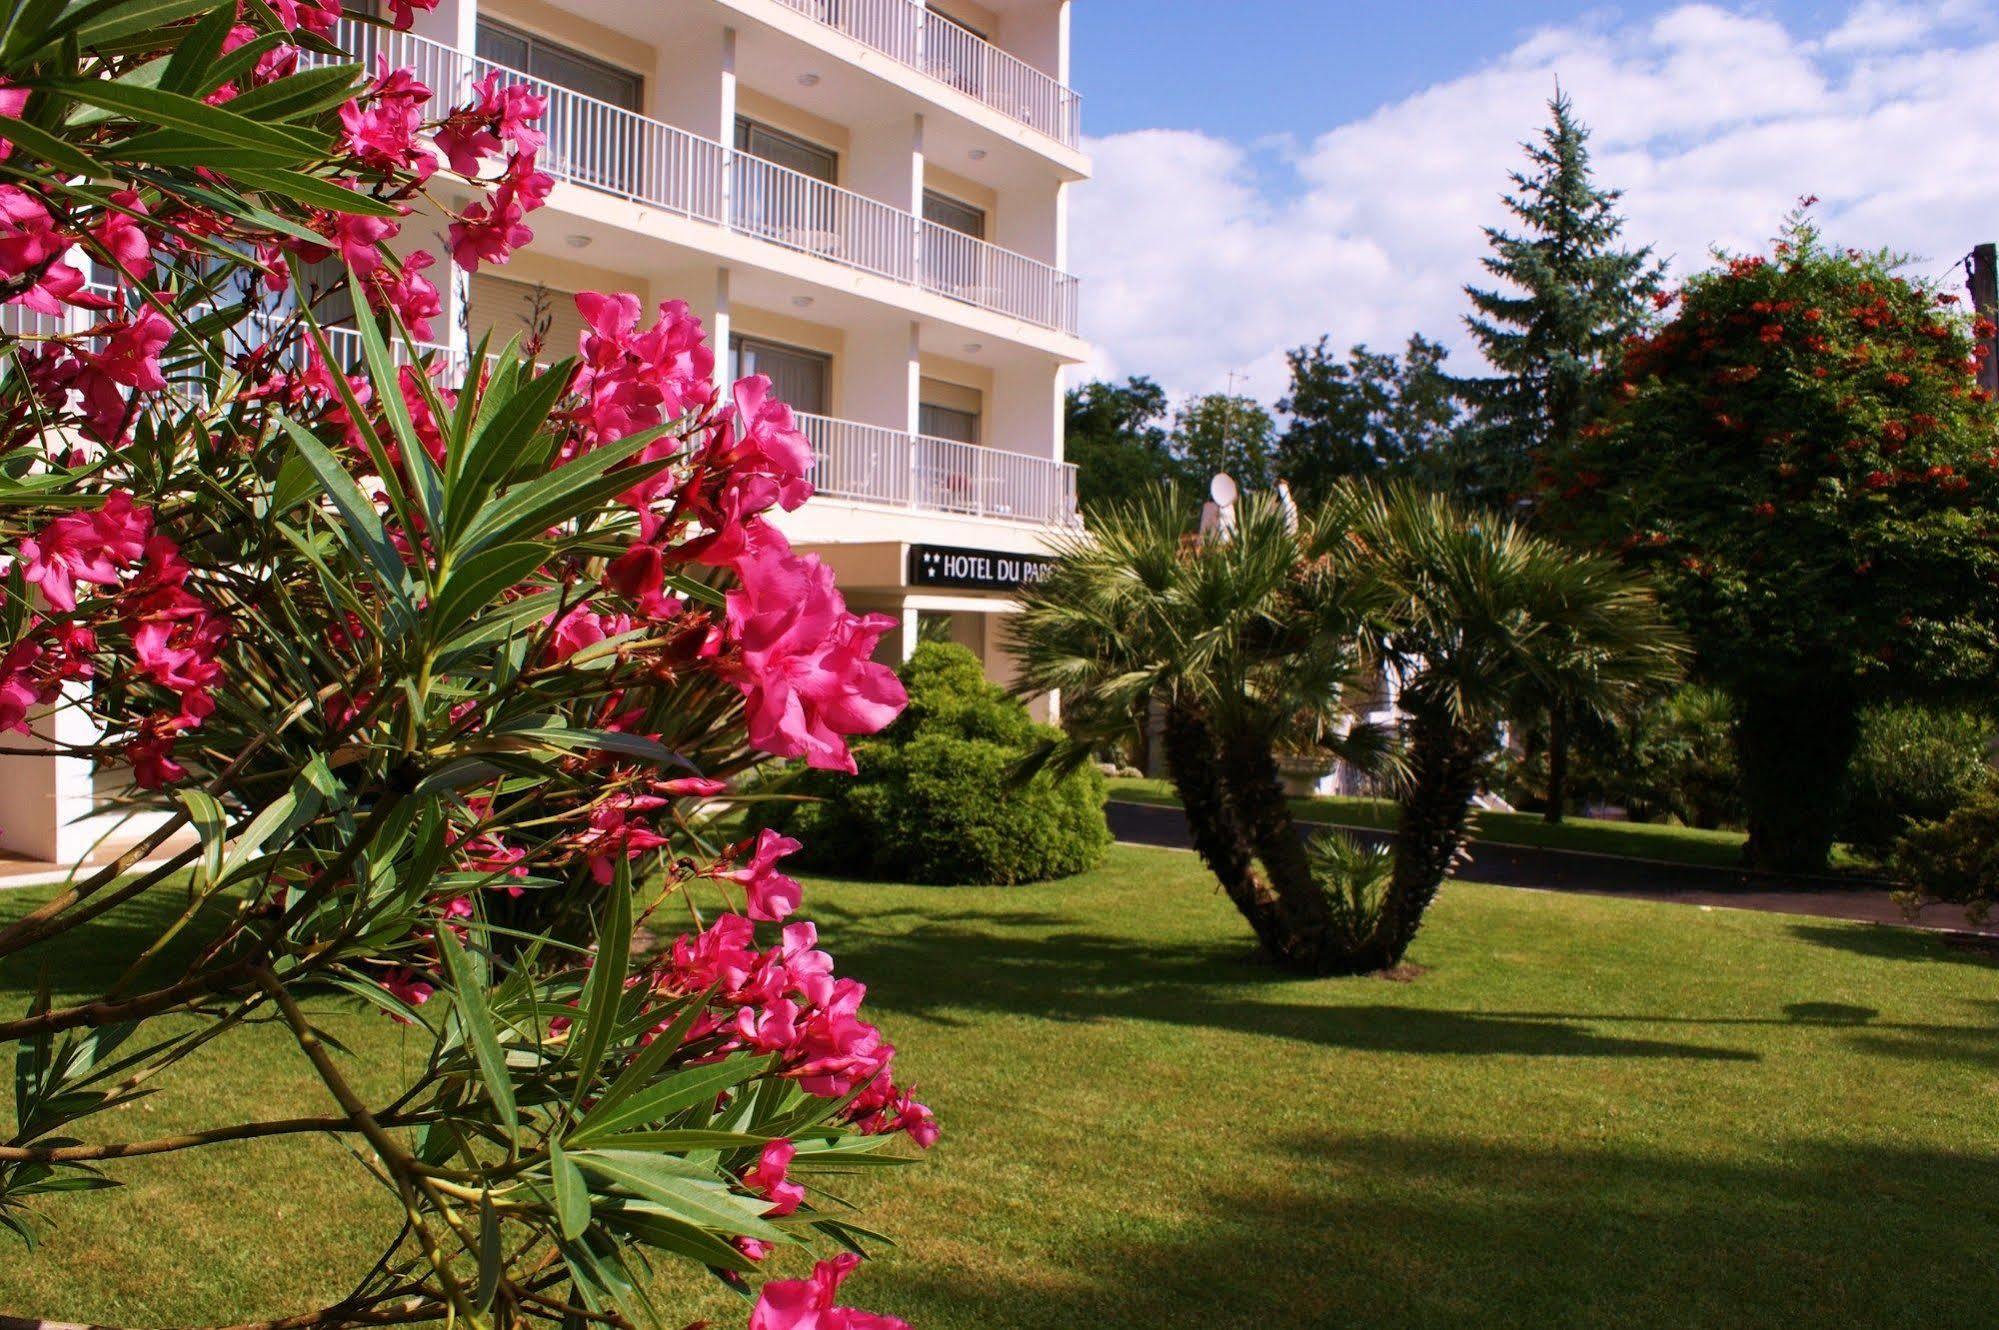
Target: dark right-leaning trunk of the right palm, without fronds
{"x": 1446, "y": 763}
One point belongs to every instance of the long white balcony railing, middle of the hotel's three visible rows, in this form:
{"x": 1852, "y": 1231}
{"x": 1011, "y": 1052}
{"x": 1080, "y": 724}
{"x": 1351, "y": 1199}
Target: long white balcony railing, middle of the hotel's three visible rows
{"x": 627, "y": 155}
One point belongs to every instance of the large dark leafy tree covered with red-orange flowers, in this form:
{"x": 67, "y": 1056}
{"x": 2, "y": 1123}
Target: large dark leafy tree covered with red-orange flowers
{"x": 1808, "y": 465}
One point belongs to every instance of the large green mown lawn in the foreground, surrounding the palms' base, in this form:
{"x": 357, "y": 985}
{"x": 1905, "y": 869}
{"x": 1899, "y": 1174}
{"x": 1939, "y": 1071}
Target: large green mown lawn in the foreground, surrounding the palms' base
{"x": 1586, "y": 1113}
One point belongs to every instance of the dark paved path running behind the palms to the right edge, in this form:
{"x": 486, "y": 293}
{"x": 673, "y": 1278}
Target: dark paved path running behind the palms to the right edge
{"x": 1602, "y": 875}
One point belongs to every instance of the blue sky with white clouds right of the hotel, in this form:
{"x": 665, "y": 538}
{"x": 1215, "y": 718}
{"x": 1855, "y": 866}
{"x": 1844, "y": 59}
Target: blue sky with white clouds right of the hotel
{"x": 1268, "y": 171}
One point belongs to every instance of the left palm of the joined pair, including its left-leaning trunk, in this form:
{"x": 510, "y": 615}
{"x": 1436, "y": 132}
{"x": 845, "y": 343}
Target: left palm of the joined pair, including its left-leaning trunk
{"x": 1240, "y": 643}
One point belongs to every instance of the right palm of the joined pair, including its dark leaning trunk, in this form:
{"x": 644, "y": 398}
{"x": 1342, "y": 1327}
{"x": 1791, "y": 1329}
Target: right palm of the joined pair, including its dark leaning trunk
{"x": 1484, "y": 621}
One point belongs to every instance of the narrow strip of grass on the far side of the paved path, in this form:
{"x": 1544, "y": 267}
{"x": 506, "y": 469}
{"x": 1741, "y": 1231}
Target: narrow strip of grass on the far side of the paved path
{"x": 1656, "y": 841}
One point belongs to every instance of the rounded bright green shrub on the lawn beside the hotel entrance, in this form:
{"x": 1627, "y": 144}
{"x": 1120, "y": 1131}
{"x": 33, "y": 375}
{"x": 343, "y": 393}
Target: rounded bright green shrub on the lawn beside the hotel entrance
{"x": 937, "y": 799}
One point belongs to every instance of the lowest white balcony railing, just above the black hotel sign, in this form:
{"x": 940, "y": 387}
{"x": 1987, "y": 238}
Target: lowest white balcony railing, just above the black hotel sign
{"x": 937, "y": 475}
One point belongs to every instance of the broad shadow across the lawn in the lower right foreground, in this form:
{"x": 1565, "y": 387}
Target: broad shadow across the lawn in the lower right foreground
{"x": 1406, "y": 1231}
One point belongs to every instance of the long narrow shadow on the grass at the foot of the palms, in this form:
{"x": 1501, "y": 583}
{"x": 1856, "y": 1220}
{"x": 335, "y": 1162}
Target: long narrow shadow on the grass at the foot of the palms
{"x": 941, "y": 971}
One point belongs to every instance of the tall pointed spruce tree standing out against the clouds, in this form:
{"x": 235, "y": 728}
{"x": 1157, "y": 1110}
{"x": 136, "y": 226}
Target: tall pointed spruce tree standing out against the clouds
{"x": 1570, "y": 297}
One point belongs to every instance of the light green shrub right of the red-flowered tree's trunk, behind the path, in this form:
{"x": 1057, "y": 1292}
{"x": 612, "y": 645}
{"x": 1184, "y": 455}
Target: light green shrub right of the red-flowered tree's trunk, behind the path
{"x": 1914, "y": 765}
